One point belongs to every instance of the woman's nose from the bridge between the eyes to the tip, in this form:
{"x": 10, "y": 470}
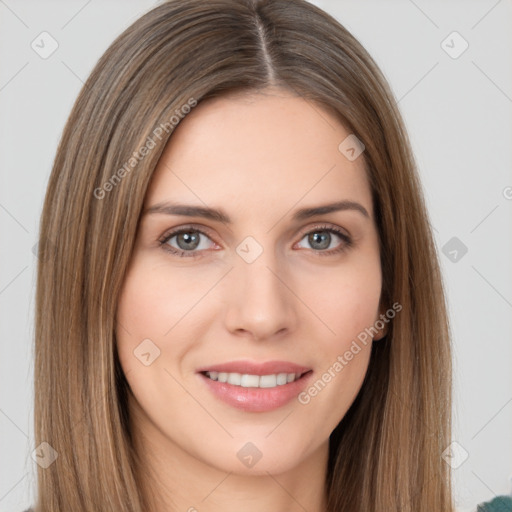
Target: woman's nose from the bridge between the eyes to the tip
{"x": 260, "y": 301}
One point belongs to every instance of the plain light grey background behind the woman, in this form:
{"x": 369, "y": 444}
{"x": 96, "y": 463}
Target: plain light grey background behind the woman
{"x": 458, "y": 113}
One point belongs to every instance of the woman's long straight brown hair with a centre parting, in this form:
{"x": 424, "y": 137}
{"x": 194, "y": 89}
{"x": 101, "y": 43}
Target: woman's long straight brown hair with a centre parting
{"x": 385, "y": 455}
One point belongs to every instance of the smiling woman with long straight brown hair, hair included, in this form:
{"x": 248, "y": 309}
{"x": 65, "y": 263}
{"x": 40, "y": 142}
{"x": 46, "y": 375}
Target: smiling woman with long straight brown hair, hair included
{"x": 239, "y": 303}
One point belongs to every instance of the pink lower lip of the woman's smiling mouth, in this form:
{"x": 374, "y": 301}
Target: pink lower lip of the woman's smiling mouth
{"x": 256, "y": 399}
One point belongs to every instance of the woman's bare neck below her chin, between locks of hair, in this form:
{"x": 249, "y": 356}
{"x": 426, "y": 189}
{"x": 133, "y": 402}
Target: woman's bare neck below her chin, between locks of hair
{"x": 175, "y": 480}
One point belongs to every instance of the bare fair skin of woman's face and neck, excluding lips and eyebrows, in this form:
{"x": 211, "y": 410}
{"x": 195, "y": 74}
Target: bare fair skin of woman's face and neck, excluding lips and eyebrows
{"x": 259, "y": 157}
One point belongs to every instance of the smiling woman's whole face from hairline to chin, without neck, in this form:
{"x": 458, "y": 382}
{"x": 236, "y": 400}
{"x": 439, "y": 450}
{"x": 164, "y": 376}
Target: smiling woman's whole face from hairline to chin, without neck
{"x": 268, "y": 283}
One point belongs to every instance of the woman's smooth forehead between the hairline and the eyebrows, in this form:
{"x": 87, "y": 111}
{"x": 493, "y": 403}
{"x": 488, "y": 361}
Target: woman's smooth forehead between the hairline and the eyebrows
{"x": 258, "y": 153}
